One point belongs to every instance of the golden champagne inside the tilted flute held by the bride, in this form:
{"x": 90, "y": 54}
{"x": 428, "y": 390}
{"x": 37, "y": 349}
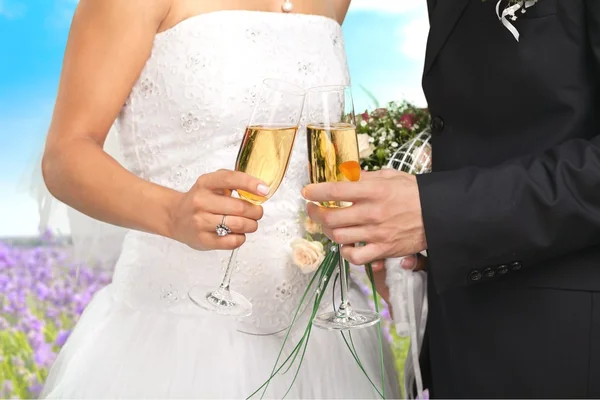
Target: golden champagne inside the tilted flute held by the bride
{"x": 265, "y": 154}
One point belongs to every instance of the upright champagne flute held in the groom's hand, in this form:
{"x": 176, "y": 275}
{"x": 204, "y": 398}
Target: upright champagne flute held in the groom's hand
{"x": 333, "y": 157}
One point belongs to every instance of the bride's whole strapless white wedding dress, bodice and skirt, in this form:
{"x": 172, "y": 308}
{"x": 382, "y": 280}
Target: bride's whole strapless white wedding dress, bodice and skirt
{"x": 141, "y": 337}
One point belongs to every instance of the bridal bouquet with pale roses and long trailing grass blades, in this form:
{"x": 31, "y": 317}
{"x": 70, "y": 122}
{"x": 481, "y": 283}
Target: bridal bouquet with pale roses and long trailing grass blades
{"x": 380, "y": 134}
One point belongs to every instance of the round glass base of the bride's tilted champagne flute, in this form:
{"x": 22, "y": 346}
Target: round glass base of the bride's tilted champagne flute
{"x": 220, "y": 301}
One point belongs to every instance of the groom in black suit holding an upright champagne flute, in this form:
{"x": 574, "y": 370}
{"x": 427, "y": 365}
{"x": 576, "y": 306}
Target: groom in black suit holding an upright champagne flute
{"x": 510, "y": 217}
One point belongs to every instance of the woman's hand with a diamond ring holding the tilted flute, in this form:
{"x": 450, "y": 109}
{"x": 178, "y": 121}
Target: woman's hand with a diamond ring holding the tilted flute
{"x": 196, "y": 214}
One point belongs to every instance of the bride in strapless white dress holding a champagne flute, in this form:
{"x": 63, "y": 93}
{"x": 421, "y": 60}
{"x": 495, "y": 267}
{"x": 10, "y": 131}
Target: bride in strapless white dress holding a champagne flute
{"x": 175, "y": 77}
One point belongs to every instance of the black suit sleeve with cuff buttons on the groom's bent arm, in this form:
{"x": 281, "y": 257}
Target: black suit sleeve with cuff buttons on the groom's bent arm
{"x": 487, "y": 221}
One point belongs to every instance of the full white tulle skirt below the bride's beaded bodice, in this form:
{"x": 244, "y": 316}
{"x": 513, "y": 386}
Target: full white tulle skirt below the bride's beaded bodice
{"x": 119, "y": 352}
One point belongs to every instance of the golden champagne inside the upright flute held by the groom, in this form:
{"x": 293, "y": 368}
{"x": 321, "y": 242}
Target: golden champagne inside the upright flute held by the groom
{"x": 330, "y": 146}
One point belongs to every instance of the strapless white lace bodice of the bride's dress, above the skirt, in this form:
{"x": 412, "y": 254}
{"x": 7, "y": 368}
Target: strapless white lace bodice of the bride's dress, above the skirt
{"x": 185, "y": 117}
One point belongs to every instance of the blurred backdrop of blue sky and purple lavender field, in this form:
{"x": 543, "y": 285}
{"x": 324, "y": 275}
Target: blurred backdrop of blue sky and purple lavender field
{"x": 385, "y": 41}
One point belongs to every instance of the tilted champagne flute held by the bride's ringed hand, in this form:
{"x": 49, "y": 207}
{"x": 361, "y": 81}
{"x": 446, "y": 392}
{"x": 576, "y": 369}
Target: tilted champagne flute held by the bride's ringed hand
{"x": 264, "y": 153}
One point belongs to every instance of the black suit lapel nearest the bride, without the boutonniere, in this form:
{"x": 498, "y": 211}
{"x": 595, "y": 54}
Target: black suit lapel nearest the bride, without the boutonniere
{"x": 444, "y": 17}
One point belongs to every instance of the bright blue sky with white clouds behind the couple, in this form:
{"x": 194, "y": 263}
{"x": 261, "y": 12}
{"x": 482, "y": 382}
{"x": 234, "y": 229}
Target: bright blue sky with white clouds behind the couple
{"x": 385, "y": 41}
